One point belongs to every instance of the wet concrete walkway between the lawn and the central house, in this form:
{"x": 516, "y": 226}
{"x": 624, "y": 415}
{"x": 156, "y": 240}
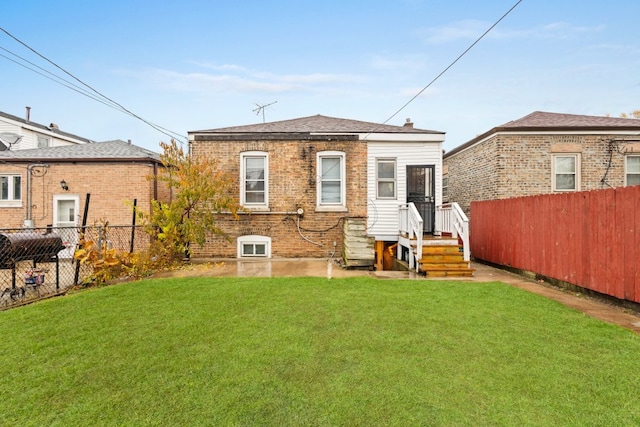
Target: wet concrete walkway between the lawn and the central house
{"x": 594, "y": 307}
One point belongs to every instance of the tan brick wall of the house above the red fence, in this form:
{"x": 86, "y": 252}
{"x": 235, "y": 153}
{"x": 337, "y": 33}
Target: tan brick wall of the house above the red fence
{"x": 515, "y": 165}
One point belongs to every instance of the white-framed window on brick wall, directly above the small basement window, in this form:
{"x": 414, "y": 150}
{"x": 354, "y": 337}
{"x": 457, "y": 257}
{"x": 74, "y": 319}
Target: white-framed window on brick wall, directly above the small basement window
{"x": 254, "y": 171}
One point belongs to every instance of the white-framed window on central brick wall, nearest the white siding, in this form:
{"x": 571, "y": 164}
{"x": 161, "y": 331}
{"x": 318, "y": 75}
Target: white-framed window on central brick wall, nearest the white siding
{"x": 331, "y": 180}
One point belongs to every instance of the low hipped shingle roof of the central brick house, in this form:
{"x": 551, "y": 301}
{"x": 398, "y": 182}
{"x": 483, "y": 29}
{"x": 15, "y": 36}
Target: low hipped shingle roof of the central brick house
{"x": 315, "y": 124}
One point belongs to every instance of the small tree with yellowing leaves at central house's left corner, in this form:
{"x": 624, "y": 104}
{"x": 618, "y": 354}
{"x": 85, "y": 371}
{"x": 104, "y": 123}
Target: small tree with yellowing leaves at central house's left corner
{"x": 200, "y": 190}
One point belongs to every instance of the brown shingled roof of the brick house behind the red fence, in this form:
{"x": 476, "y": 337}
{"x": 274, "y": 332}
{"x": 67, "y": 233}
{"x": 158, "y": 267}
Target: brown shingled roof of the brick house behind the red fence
{"x": 540, "y": 121}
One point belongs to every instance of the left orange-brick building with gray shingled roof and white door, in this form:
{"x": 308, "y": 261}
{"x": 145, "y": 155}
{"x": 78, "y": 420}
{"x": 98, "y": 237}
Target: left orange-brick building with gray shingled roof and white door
{"x": 48, "y": 186}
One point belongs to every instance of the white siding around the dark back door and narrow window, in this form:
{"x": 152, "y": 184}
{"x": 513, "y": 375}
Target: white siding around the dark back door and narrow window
{"x": 383, "y": 213}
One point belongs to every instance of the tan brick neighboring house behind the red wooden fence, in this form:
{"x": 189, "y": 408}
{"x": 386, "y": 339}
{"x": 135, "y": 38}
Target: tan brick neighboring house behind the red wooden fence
{"x": 544, "y": 153}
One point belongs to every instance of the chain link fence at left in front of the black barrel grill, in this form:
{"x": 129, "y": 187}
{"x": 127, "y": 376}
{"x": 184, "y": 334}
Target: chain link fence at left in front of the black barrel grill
{"x": 38, "y": 263}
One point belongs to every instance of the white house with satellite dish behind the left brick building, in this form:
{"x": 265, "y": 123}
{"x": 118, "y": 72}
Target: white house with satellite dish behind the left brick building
{"x": 22, "y": 134}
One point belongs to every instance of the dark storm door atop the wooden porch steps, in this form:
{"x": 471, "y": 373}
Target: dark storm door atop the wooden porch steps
{"x": 421, "y": 191}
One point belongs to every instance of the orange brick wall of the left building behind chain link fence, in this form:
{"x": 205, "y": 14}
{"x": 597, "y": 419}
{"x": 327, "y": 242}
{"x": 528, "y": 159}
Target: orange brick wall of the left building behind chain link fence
{"x": 113, "y": 187}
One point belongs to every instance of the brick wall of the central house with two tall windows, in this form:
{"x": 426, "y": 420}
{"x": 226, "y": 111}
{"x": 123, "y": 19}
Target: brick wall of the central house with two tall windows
{"x": 292, "y": 185}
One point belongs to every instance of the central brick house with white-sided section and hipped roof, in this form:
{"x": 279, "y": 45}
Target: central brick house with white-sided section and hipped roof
{"x": 307, "y": 183}
